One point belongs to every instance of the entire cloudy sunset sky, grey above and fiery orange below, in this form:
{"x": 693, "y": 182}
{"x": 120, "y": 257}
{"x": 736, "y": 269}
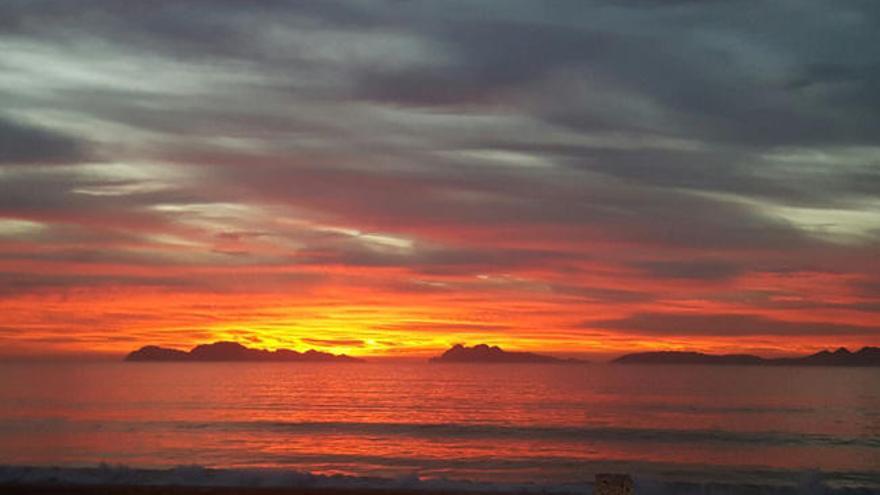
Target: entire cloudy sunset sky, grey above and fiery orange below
{"x": 388, "y": 178}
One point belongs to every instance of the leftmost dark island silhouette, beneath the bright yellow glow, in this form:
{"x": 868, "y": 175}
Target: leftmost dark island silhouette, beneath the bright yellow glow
{"x": 233, "y": 351}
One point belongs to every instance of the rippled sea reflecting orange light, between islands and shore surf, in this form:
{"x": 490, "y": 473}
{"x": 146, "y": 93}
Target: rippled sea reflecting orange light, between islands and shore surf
{"x": 546, "y": 424}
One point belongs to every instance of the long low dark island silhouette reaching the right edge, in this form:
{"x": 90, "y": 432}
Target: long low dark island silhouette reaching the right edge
{"x": 867, "y": 356}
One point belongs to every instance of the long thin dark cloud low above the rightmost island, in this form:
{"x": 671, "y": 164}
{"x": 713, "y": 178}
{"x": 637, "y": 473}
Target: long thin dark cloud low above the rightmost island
{"x": 725, "y": 325}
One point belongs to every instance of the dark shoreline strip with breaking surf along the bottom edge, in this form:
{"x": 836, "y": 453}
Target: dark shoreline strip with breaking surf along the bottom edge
{"x": 197, "y": 480}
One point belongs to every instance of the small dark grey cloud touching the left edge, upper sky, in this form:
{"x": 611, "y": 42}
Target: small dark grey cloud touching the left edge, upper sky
{"x": 23, "y": 144}
